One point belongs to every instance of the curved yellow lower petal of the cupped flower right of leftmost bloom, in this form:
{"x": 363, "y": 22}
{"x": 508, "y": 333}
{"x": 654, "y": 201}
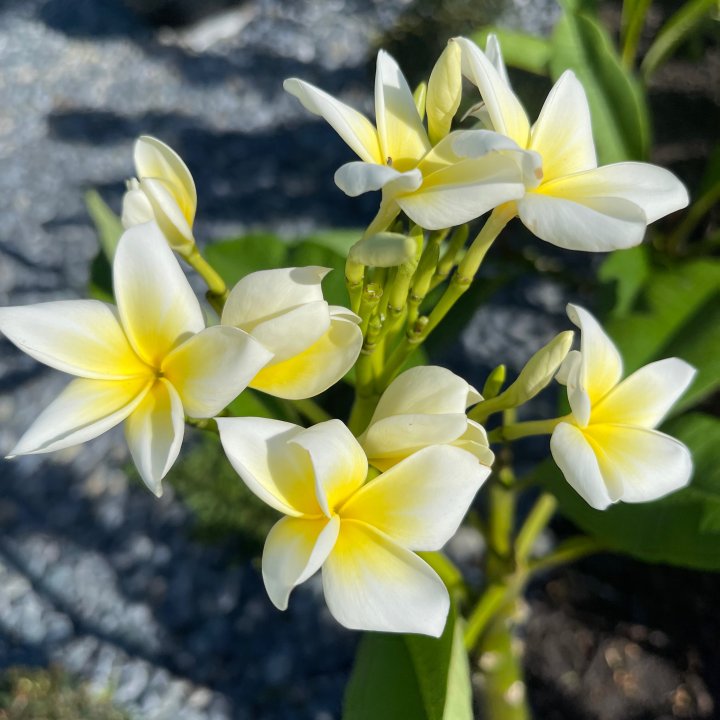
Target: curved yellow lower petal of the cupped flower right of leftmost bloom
{"x": 318, "y": 367}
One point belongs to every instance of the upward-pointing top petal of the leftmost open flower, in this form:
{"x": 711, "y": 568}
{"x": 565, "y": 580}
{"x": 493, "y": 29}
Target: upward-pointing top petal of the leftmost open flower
{"x": 157, "y": 307}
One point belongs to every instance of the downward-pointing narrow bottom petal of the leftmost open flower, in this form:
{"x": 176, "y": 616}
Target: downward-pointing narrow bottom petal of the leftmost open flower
{"x": 154, "y": 432}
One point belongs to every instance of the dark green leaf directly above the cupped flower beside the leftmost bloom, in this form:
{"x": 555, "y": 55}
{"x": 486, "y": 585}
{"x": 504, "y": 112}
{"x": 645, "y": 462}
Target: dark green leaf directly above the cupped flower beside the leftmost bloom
{"x": 236, "y": 258}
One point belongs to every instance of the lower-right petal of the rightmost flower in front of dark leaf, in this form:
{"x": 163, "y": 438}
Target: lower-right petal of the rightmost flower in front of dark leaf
{"x": 643, "y": 464}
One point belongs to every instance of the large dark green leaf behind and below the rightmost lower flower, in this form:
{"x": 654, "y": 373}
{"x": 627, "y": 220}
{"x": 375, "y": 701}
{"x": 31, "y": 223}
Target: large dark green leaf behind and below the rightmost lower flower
{"x": 682, "y": 529}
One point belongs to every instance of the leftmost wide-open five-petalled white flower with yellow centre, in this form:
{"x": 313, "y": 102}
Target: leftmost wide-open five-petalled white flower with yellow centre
{"x": 148, "y": 361}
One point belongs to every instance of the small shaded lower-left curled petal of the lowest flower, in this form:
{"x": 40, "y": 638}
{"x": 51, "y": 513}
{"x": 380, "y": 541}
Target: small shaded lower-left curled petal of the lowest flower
{"x": 295, "y": 549}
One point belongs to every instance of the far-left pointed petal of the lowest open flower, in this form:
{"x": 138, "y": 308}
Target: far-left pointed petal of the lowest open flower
{"x": 278, "y": 471}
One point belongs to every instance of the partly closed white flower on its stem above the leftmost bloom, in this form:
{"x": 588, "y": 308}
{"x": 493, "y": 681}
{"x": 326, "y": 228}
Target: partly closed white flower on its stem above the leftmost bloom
{"x": 163, "y": 191}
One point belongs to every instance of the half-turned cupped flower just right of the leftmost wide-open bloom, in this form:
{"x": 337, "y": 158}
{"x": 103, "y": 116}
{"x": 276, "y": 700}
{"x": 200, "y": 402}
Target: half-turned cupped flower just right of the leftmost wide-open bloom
{"x": 313, "y": 344}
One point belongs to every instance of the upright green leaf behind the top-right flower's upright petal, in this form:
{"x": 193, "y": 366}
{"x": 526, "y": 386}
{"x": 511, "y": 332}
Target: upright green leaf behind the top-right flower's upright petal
{"x": 617, "y": 101}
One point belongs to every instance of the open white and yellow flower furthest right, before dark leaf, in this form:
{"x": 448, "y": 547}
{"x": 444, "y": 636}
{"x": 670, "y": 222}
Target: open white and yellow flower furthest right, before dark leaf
{"x": 609, "y": 449}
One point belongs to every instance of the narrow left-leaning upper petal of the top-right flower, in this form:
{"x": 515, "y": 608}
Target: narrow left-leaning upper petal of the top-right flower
{"x": 506, "y": 112}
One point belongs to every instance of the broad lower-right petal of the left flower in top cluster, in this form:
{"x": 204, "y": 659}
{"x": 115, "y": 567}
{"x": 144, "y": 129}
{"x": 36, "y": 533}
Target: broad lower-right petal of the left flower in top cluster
{"x": 461, "y": 192}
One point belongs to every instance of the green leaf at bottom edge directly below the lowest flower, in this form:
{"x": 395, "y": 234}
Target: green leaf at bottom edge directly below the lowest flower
{"x": 410, "y": 676}
